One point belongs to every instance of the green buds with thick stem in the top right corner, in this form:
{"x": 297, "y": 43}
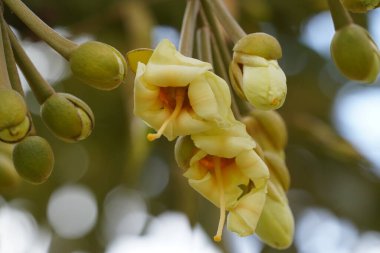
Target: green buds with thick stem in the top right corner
{"x": 353, "y": 50}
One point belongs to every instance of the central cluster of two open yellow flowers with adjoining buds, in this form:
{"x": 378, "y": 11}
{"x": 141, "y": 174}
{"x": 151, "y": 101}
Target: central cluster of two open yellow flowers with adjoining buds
{"x": 180, "y": 96}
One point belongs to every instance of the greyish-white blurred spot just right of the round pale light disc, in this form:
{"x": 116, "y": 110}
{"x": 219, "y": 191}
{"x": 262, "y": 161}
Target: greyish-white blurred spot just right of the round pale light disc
{"x": 125, "y": 213}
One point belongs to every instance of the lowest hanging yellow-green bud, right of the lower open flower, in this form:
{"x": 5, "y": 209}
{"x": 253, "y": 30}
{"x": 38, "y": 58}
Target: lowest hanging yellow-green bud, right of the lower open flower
{"x": 276, "y": 224}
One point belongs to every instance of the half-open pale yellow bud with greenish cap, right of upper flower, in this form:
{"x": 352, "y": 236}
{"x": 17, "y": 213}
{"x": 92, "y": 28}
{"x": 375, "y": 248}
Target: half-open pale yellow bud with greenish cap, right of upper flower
{"x": 255, "y": 73}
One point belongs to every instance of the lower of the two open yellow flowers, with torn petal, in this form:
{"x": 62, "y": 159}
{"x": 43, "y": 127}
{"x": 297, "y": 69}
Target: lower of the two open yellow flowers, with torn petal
{"x": 224, "y": 168}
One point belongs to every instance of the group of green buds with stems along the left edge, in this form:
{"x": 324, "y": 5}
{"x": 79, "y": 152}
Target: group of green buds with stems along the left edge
{"x": 70, "y": 119}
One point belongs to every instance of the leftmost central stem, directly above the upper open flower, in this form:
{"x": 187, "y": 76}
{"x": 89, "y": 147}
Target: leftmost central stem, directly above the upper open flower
{"x": 186, "y": 41}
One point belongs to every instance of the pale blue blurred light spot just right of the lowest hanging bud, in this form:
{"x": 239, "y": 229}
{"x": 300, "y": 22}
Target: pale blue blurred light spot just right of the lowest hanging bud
{"x": 319, "y": 231}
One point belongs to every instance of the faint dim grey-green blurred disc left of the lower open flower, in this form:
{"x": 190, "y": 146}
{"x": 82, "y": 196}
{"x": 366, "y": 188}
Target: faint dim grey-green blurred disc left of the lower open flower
{"x": 155, "y": 177}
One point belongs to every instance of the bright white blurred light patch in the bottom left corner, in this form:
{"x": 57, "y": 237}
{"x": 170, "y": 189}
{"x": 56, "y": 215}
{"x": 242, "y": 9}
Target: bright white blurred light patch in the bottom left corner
{"x": 19, "y": 232}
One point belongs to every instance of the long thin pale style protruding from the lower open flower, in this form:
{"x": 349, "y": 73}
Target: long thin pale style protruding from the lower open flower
{"x": 222, "y": 204}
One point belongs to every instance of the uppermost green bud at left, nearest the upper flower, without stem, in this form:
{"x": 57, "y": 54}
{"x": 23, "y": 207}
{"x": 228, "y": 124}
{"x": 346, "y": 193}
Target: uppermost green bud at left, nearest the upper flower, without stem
{"x": 98, "y": 65}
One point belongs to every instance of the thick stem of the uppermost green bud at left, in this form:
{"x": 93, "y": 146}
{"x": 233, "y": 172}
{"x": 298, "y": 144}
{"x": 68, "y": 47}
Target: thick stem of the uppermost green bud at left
{"x": 62, "y": 45}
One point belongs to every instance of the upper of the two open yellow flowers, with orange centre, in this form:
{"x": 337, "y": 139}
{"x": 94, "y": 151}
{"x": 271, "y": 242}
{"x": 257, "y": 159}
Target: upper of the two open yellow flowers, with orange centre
{"x": 177, "y": 95}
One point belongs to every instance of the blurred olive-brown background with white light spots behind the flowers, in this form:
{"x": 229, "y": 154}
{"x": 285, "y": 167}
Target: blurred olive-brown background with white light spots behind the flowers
{"x": 117, "y": 193}
